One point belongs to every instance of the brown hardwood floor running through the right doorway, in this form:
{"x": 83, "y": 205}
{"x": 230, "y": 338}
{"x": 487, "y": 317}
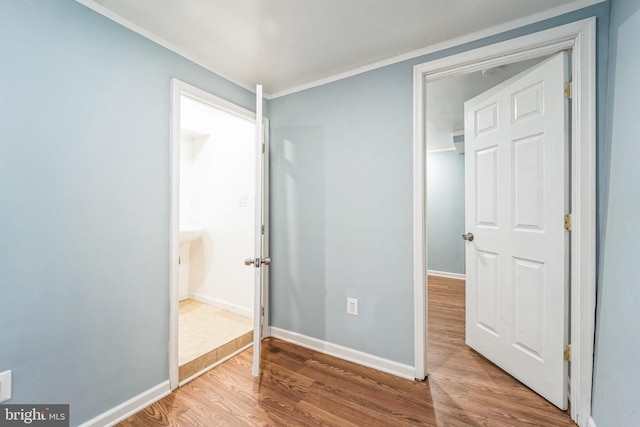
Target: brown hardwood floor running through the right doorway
{"x": 300, "y": 387}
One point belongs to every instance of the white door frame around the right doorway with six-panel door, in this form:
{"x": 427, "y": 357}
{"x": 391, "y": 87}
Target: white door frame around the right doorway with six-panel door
{"x": 580, "y": 38}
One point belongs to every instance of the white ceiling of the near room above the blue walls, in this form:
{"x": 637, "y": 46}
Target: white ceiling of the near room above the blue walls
{"x": 287, "y": 45}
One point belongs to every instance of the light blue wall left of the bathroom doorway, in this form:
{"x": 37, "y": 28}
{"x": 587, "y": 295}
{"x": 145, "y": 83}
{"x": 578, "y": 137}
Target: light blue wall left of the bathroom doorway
{"x": 84, "y": 173}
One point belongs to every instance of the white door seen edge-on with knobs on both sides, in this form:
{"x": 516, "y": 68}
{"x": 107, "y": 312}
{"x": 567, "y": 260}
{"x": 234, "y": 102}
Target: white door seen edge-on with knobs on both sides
{"x": 258, "y": 261}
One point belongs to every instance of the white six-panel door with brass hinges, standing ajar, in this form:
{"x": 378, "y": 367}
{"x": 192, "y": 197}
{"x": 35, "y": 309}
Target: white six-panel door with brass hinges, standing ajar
{"x": 516, "y": 141}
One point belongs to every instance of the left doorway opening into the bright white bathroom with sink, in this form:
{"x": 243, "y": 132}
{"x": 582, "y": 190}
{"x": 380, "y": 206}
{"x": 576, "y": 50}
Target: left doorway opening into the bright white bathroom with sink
{"x": 213, "y": 193}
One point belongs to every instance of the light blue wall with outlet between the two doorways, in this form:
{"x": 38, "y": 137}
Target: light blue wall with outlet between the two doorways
{"x": 342, "y": 202}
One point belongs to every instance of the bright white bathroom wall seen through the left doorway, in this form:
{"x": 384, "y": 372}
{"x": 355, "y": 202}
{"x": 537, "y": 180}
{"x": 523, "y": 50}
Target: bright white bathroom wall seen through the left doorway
{"x": 217, "y": 192}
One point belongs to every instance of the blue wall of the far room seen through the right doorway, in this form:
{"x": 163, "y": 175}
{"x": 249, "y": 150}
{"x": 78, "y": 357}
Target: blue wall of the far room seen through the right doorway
{"x": 445, "y": 211}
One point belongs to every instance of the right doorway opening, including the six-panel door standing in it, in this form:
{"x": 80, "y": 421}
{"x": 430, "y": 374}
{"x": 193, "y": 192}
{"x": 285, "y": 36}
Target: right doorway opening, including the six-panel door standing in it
{"x": 513, "y": 202}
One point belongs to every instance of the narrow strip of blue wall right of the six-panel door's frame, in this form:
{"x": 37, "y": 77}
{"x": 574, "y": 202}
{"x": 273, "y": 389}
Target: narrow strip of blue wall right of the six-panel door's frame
{"x": 616, "y": 398}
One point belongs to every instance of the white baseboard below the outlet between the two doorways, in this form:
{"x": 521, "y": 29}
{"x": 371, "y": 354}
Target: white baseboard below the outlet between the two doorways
{"x": 355, "y": 356}
